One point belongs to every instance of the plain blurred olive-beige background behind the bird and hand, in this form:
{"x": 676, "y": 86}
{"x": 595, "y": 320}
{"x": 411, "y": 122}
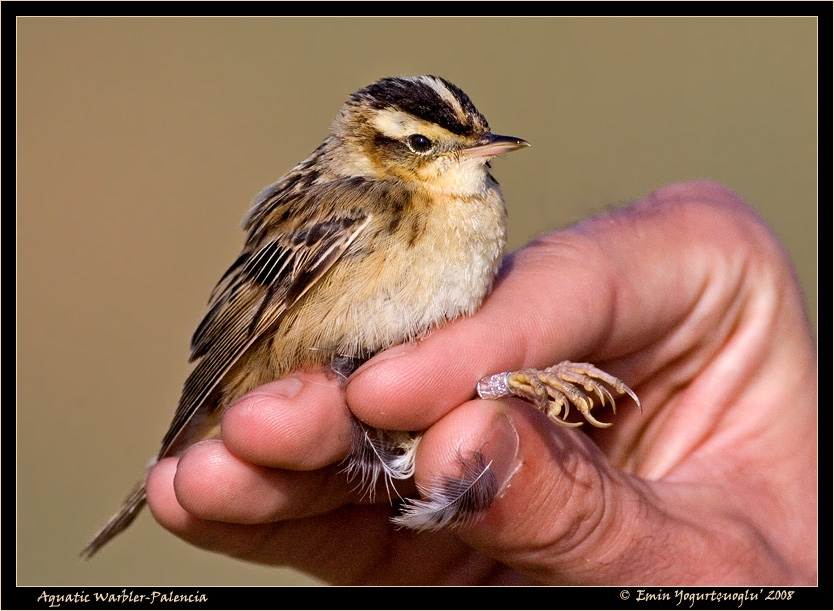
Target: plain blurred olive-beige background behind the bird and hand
{"x": 142, "y": 141}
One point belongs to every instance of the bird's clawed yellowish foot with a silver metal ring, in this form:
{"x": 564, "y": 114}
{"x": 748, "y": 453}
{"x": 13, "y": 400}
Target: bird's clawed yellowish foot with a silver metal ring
{"x": 554, "y": 389}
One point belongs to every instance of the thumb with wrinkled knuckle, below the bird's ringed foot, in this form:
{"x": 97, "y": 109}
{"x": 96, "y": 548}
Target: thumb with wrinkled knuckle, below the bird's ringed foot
{"x": 562, "y": 514}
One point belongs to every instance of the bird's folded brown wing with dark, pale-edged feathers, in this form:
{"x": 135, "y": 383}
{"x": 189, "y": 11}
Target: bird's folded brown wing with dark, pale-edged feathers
{"x": 265, "y": 281}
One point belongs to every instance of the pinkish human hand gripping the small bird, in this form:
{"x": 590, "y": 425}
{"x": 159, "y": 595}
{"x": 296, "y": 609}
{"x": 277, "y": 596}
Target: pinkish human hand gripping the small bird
{"x": 686, "y": 296}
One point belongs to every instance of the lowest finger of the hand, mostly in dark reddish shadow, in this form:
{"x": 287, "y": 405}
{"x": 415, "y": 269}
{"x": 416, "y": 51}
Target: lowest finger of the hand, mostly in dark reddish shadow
{"x": 351, "y": 545}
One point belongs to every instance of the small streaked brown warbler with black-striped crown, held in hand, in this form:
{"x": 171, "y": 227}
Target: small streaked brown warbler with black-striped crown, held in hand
{"x": 390, "y": 229}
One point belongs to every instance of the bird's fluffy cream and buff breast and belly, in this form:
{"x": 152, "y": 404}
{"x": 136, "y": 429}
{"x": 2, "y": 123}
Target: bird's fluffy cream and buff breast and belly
{"x": 400, "y": 280}
